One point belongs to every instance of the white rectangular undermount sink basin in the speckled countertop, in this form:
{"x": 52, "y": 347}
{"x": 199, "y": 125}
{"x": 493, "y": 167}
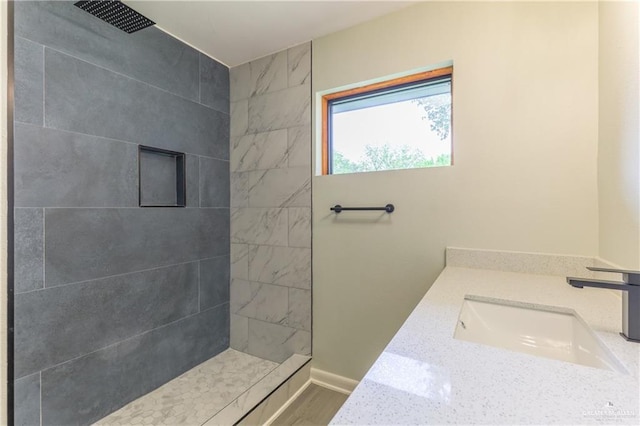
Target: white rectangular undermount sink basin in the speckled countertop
{"x": 545, "y": 331}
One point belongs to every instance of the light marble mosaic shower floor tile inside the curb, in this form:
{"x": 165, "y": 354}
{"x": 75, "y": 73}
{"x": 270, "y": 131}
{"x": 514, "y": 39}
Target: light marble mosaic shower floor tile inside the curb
{"x": 197, "y": 395}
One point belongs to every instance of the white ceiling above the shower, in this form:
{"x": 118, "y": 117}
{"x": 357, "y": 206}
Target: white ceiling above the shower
{"x": 235, "y": 32}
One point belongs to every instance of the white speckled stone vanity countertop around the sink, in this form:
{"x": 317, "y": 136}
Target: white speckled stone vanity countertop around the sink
{"x": 425, "y": 376}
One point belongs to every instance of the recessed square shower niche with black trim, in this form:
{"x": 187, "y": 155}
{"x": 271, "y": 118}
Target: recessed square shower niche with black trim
{"x": 161, "y": 177}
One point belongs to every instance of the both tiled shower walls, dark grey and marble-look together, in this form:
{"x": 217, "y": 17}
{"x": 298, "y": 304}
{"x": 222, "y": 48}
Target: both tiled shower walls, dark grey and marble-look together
{"x": 113, "y": 299}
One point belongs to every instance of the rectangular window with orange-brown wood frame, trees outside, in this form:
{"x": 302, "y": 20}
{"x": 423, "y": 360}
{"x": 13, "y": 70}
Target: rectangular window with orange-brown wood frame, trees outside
{"x": 403, "y": 123}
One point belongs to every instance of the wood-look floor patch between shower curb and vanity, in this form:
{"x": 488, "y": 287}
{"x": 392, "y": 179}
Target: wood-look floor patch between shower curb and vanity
{"x": 315, "y": 406}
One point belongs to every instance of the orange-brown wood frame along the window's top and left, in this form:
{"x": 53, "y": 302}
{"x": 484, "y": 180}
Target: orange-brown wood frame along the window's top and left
{"x": 326, "y": 99}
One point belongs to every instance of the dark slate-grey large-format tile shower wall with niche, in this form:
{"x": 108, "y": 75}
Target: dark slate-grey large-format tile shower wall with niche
{"x": 112, "y": 300}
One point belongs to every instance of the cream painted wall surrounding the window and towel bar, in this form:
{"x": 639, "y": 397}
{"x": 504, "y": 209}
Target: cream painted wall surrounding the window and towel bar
{"x": 525, "y": 111}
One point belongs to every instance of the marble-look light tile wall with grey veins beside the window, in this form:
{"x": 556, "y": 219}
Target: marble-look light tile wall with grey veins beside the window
{"x": 270, "y": 164}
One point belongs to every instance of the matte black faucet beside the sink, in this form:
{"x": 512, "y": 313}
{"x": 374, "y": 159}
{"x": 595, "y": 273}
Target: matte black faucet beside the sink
{"x": 630, "y": 286}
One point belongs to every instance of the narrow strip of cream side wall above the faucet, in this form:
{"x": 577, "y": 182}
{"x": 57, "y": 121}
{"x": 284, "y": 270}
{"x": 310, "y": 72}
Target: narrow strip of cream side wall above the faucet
{"x": 619, "y": 134}
